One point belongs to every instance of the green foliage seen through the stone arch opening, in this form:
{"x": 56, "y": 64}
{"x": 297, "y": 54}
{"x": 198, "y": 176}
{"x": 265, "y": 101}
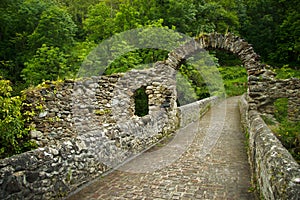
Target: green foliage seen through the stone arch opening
{"x": 199, "y": 78}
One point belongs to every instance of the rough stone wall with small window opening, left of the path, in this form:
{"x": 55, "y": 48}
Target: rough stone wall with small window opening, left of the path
{"x": 87, "y": 127}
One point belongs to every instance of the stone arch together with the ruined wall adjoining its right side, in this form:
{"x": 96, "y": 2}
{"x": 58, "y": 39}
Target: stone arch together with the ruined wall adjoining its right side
{"x": 263, "y": 88}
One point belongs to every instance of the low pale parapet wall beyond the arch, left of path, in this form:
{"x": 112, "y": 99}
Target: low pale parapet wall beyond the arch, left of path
{"x": 194, "y": 111}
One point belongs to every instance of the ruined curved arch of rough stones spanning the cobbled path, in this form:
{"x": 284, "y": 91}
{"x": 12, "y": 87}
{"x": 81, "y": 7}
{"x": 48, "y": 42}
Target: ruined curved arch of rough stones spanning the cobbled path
{"x": 233, "y": 44}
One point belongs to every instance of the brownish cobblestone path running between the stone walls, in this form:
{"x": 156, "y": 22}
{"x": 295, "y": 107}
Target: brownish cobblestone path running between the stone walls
{"x": 206, "y": 160}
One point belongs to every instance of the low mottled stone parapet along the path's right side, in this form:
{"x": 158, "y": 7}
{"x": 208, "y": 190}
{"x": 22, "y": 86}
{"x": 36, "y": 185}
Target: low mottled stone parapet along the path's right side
{"x": 274, "y": 169}
